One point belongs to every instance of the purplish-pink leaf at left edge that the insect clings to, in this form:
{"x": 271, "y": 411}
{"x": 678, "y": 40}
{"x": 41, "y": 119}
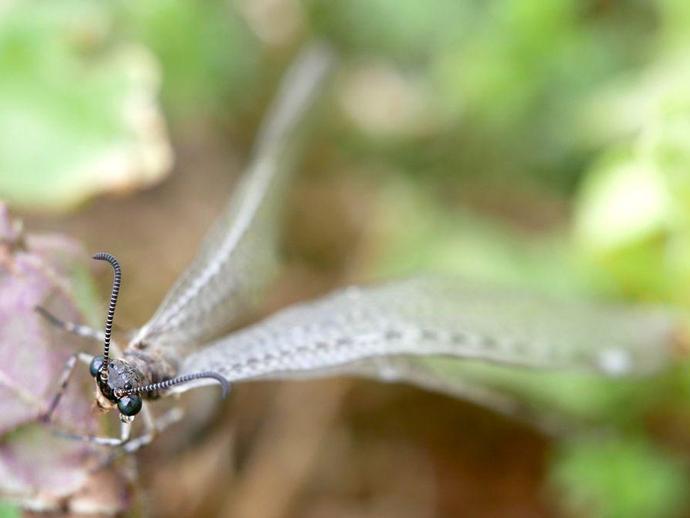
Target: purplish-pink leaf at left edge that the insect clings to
{"x": 37, "y": 467}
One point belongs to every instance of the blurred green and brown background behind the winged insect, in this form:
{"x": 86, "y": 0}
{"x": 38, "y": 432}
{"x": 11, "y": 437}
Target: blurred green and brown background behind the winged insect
{"x": 543, "y": 145}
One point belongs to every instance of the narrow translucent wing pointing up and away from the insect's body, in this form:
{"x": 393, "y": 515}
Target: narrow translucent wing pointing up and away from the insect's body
{"x": 237, "y": 258}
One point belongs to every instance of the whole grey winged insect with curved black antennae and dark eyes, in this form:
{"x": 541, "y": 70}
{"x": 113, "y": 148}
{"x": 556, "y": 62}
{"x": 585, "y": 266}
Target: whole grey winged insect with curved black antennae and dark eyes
{"x": 380, "y": 331}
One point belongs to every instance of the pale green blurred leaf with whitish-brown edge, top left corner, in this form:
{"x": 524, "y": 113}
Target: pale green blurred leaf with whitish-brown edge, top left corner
{"x": 79, "y": 113}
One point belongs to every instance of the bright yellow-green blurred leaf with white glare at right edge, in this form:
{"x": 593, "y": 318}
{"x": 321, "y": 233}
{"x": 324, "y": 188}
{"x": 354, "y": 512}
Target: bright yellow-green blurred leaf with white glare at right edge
{"x": 632, "y": 217}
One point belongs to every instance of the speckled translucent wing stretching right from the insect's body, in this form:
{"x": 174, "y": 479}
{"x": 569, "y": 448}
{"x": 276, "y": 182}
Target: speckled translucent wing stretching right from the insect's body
{"x": 371, "y": 331}
